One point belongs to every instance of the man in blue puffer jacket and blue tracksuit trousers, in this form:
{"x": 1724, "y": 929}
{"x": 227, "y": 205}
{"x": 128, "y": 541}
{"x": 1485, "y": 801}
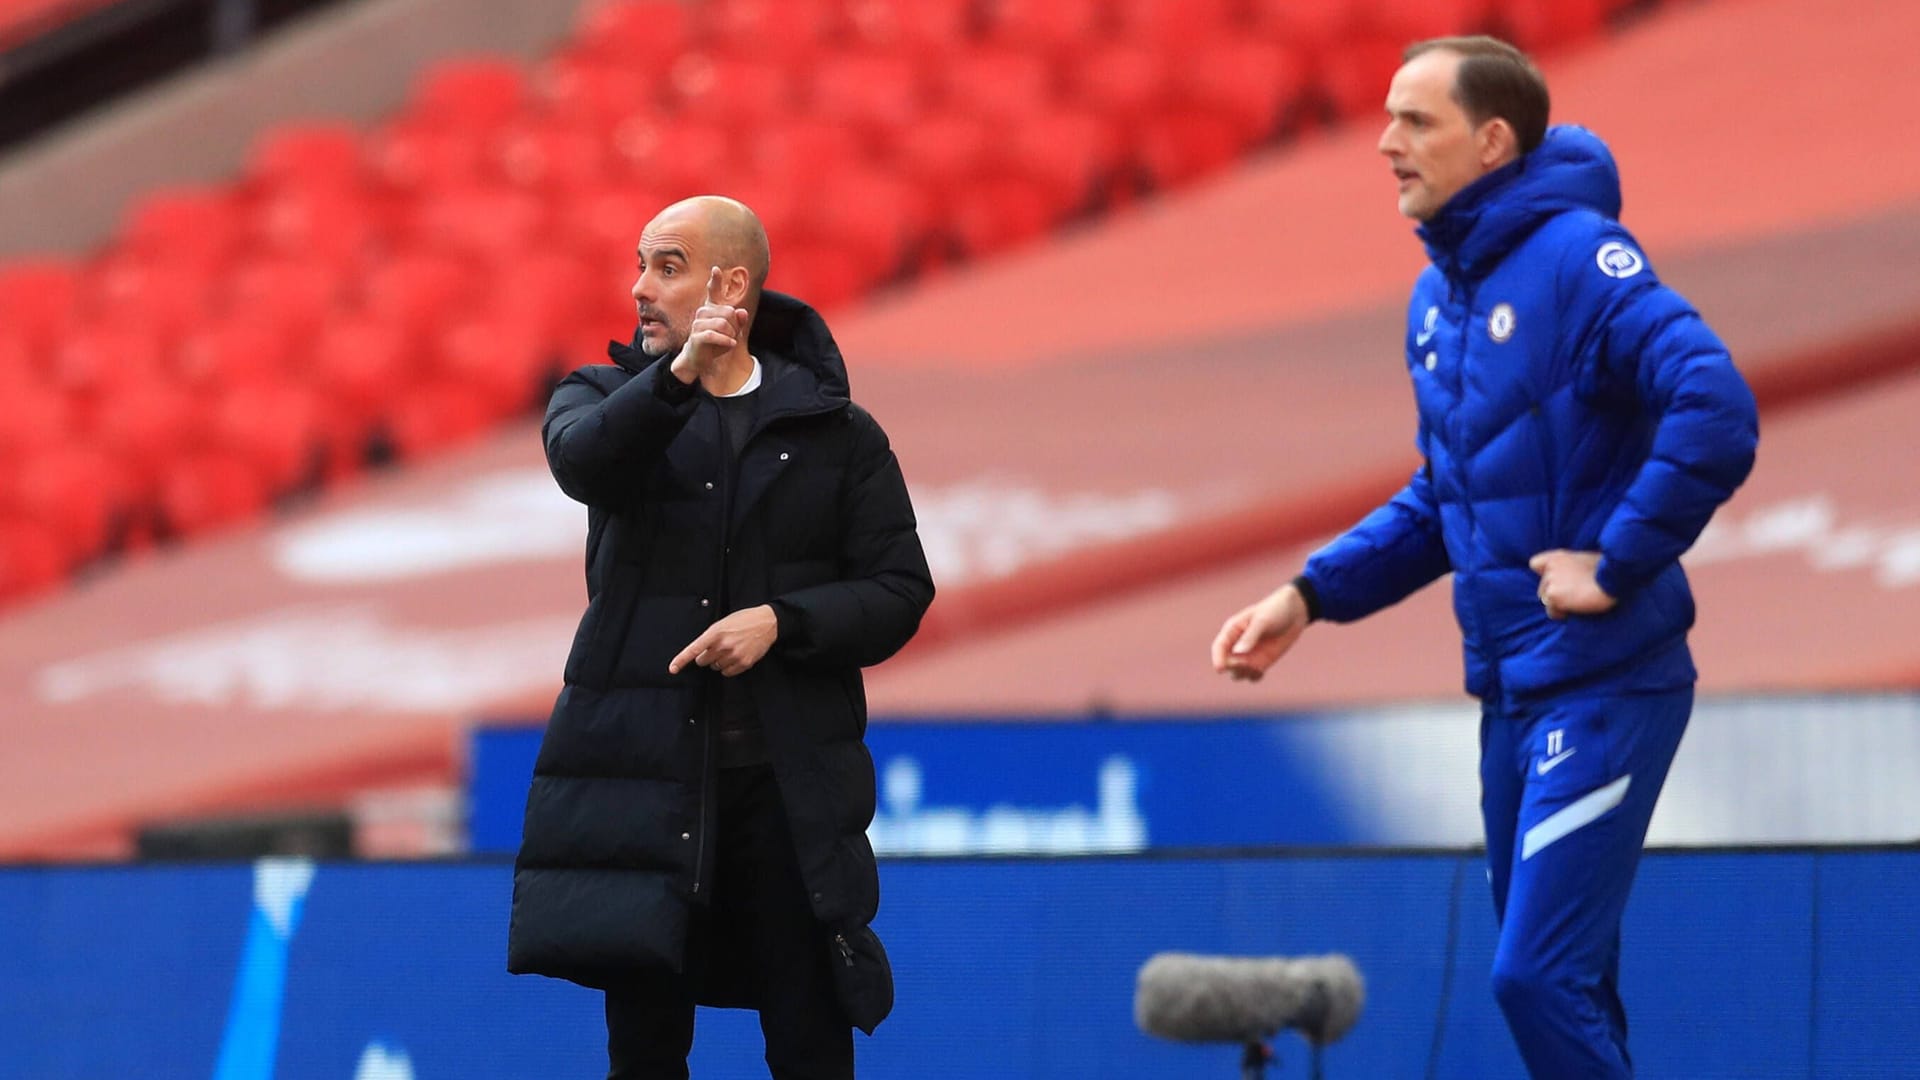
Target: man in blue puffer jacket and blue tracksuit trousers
{"x": 1579, "y": 424}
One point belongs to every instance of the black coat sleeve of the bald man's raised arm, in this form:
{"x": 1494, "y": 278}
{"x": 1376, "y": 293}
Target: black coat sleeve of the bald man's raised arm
{"x": 598, "y": 441}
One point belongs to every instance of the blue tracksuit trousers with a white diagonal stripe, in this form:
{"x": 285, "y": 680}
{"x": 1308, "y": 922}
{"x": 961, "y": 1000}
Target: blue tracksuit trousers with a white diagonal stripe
{"x": 1568, "y": 789}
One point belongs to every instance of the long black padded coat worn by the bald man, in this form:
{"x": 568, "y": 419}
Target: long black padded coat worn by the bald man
{"x": 617, "y": 848}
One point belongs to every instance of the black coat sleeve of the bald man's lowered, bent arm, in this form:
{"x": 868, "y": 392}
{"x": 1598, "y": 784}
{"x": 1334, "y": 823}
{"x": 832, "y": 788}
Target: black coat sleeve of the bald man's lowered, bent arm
{"x": 884, "y": 589}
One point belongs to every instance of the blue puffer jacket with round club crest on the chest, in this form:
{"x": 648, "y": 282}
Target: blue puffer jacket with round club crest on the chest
{"x": 1568, "y": 401}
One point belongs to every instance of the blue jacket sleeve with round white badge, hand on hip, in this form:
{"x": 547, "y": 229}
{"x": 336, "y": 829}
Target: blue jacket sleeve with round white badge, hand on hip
{"x": 1656, "y": 351}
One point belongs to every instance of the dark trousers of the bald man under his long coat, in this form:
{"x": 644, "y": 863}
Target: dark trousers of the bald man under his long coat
{"x": 757, "y": 895}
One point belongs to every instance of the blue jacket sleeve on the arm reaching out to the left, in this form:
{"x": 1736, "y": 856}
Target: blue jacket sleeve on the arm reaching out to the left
{"x": 1383, "y": 560}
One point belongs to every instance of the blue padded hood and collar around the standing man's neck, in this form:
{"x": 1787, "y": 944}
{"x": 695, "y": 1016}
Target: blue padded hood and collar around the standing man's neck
{"x": 1489, "y": 218}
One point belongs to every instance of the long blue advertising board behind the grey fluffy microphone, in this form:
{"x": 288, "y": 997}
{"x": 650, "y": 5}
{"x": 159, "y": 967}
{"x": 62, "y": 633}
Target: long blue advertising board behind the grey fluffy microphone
{"x": 1752, "y": 966}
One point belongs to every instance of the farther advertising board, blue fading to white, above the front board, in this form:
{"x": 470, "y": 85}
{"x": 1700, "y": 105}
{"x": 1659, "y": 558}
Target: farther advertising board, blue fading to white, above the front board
{"x": 1750, "y": 772}
